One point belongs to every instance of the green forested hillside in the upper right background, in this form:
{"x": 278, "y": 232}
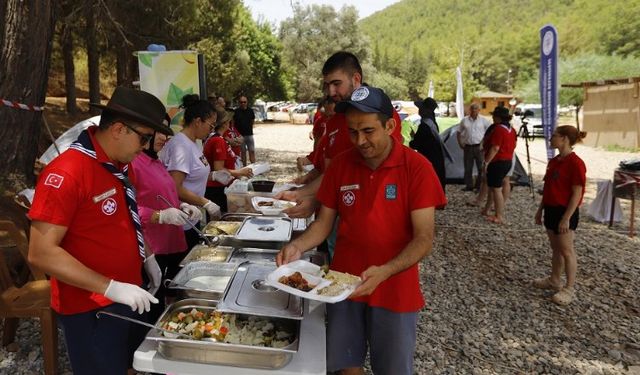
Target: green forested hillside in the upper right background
{"x": 496, "y": 42}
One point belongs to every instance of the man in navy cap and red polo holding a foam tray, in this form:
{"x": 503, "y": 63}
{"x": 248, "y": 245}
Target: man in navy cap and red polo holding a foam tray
{"x": 374, "y": 186}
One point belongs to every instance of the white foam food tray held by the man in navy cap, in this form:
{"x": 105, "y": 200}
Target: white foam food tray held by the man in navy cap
{"x": 313, "y": 274}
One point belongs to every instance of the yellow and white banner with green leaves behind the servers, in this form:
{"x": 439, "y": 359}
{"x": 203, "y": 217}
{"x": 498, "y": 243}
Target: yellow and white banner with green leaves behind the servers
{"x": 169, "y": 75}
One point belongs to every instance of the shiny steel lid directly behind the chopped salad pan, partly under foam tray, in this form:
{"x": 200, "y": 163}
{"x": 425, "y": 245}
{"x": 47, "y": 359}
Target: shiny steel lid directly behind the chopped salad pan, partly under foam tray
{"x": 248, "y": 294}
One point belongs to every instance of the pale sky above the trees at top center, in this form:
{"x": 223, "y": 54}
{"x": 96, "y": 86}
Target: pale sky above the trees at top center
{"x": 275, "y": 11}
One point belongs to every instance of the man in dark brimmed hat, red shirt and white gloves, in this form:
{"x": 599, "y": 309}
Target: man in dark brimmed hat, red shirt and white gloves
{"x": 86, "y": 233}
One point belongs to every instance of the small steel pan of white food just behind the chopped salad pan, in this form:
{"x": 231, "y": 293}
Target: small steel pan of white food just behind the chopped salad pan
{"x": 205, "y": 280}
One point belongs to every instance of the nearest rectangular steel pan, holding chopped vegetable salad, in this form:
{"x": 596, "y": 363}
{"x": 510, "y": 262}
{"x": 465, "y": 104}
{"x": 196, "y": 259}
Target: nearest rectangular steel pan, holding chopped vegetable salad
{"x": 221, "y": 353}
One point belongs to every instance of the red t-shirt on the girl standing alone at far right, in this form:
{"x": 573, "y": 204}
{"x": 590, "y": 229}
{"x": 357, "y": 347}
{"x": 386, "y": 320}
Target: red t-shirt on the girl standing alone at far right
{"x": 561, "y": 176}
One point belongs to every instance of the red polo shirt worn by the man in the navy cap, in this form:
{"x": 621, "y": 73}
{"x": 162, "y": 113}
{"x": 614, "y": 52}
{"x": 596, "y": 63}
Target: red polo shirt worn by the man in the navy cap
{"x": 375, "y": 218}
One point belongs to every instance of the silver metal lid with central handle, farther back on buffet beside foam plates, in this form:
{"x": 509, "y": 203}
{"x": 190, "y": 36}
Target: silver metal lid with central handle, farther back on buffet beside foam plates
{"x": 265, "y": 228}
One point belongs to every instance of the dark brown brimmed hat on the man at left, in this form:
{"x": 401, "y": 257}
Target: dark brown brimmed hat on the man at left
{"x": 138, "y": 106}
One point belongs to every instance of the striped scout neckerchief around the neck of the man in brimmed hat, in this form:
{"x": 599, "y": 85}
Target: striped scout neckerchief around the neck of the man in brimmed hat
{"x": 84, "y": 145}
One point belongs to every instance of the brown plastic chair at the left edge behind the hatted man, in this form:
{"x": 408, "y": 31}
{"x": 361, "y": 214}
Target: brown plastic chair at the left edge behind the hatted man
{"x": 29, "y": 300}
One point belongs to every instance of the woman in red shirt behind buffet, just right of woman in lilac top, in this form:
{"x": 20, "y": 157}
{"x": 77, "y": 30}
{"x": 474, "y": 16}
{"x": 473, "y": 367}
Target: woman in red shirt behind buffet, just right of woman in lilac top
{"x": 220, "y": 156}
